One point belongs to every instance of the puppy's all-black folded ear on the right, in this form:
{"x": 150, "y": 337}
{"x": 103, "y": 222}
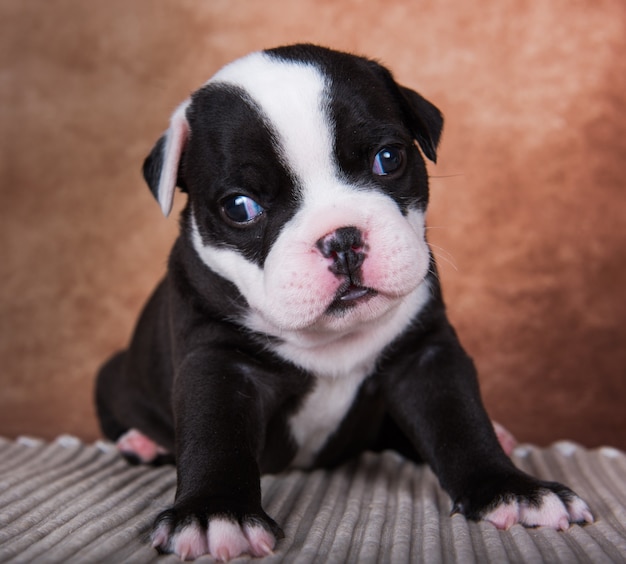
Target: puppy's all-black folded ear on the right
{"x": 425, "y": 121}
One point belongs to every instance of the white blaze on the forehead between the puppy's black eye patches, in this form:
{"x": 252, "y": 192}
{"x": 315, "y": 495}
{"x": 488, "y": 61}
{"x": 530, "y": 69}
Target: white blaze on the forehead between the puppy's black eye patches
{"x": 292, "y": 97}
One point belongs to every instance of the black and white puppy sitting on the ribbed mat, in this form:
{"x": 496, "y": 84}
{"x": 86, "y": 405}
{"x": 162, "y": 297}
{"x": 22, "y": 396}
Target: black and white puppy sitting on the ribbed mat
{"x": 301, "y": 319}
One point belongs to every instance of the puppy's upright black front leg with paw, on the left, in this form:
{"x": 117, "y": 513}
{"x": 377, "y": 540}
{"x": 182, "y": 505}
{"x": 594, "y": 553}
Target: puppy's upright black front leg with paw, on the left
{"x": 219, "y": 428}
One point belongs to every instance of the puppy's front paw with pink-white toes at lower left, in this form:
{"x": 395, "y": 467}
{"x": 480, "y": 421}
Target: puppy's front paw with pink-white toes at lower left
{"x": 224, "y": 538}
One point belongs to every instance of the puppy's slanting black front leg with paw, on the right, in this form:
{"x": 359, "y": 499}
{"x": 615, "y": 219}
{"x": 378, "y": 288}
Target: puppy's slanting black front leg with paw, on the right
{"x": 435, "y": 400}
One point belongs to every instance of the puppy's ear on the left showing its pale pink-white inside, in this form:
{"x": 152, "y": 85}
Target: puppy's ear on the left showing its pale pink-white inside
{"x": 160, "y": 169}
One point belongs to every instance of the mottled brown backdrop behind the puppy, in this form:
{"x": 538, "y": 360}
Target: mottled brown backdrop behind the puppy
{"x": 527, "y": 209}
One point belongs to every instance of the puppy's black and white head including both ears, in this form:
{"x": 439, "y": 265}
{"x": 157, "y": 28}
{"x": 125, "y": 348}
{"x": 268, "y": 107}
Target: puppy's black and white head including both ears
{"x": 306, "y": 186}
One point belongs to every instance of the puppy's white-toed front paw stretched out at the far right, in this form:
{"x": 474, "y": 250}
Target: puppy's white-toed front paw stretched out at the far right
{"x": 526, "y": 501}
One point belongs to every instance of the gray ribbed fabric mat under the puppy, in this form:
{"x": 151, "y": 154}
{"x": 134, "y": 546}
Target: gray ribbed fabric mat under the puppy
{"x": 70, "y": 502}
